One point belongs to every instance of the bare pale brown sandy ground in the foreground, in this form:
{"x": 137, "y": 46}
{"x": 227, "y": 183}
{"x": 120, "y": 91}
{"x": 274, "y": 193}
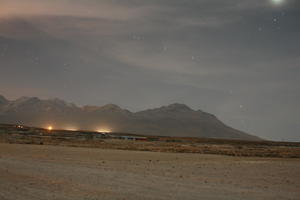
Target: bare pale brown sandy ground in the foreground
{"x": 31, "y": 172}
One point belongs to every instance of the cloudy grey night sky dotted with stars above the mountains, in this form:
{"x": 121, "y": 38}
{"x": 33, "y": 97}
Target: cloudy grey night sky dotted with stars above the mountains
{"x": 237, "y": 59}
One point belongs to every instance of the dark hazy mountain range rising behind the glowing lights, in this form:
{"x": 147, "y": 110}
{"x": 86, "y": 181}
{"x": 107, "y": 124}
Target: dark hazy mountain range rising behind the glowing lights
{"x": 172, "y": 120}
